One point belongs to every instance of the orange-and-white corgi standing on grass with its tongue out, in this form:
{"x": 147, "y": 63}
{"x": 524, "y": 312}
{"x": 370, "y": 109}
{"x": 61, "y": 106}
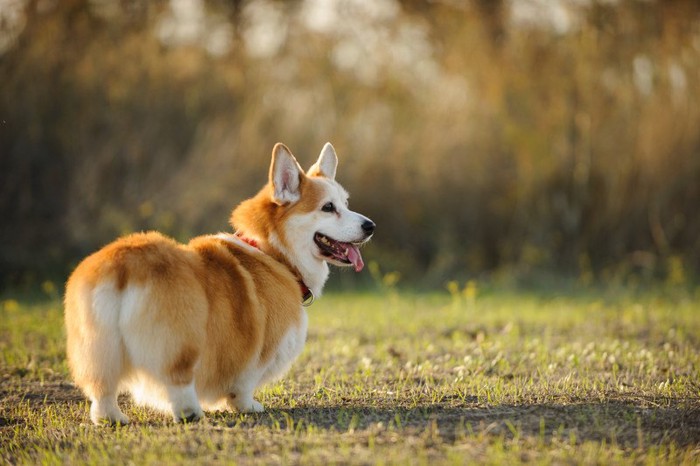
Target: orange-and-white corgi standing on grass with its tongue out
{"x": 199, "y": 326}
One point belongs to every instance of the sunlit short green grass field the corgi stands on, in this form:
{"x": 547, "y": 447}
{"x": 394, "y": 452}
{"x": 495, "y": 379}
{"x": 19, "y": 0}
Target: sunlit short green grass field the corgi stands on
{"x": 396, "y": 378}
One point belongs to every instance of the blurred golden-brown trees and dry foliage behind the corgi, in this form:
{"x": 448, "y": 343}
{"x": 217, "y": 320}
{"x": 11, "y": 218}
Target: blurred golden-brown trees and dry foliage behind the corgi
{"x": 502, "y": 137}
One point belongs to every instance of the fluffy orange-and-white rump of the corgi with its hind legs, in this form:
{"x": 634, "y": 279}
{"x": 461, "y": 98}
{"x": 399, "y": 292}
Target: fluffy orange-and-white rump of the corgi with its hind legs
{"x": 136, "y": 315}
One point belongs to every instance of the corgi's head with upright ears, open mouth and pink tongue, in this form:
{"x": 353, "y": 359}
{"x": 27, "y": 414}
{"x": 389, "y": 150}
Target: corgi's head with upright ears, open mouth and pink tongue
{"x": 305, "y": 215}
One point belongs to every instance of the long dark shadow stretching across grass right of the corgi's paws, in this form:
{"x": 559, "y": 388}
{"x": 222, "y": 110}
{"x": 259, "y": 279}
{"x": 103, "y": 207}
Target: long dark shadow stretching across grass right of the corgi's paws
{"x": 626, "y": 423}
